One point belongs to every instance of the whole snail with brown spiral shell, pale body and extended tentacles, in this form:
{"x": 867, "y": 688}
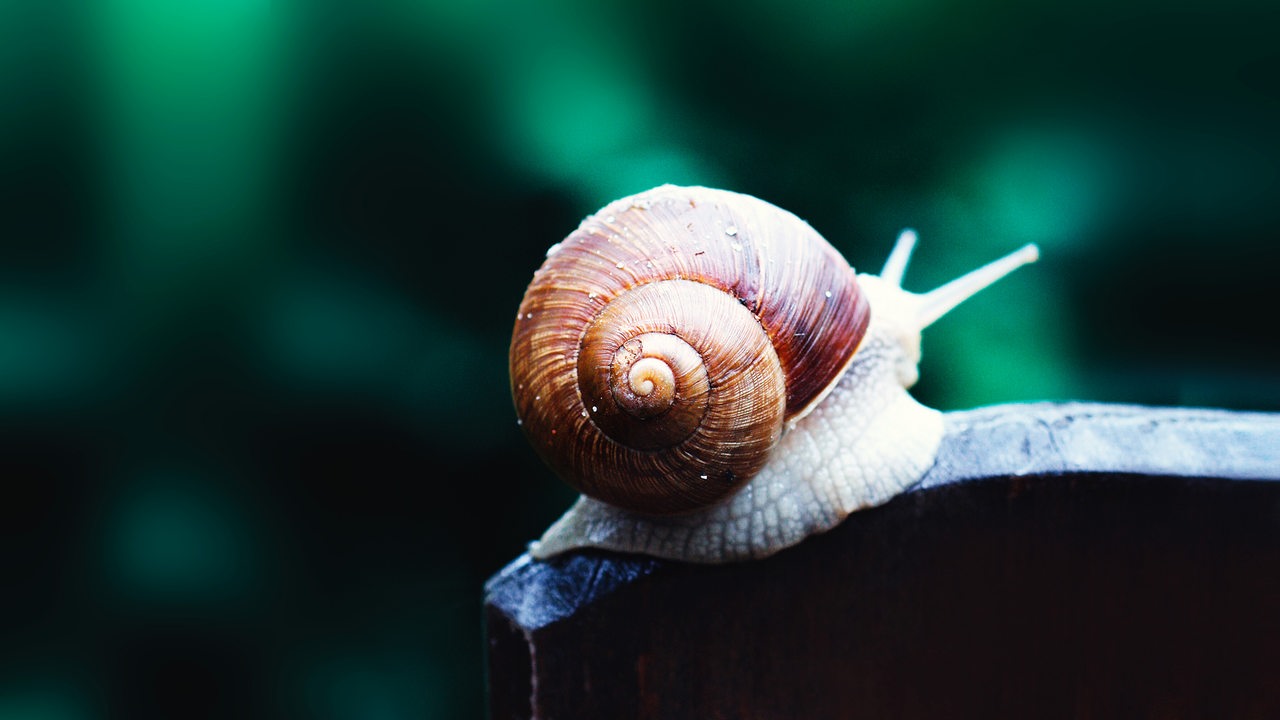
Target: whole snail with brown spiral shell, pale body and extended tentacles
{"x": 716, "y": 380}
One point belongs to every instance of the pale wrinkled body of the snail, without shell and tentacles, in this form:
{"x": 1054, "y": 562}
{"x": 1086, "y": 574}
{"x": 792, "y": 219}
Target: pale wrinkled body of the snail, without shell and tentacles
{"x": 866, "y": 443}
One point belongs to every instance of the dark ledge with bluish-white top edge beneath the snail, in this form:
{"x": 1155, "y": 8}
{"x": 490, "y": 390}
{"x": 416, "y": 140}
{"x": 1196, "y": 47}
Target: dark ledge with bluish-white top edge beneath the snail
{"x": 1058, "y": 562}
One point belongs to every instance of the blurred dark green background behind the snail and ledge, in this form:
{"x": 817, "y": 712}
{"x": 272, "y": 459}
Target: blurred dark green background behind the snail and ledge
{"x": 259, "y": 263}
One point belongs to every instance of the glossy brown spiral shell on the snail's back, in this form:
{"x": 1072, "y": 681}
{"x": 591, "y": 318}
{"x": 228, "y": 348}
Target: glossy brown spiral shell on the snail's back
{"x": 664, "y": 345}
